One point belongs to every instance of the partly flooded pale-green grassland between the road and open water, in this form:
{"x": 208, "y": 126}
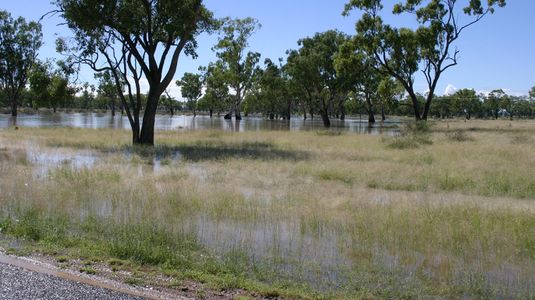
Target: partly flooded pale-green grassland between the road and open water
{"x": 444, "y": 213}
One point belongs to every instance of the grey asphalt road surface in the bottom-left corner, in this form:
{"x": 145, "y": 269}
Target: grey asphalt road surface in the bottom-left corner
{"x": 17, "y": 283}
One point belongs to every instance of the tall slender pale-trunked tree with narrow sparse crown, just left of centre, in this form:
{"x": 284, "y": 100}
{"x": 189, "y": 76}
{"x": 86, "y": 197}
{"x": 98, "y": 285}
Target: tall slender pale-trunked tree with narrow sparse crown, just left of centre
{"x": 239, "y": 66}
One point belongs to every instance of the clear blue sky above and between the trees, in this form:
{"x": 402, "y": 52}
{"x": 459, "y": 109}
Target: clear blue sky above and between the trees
{"x": 496, "y": 53}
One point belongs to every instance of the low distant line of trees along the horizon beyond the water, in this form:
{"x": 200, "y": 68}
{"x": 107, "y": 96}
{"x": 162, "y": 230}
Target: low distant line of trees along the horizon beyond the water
{"x": 464, "y": 103}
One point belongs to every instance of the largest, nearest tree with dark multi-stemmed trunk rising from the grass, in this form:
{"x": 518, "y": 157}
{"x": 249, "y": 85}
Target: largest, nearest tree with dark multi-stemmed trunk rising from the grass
{"x": 136, "y": 41}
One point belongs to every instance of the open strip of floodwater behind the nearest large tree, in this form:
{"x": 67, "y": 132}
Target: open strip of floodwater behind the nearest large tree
{"x": 182, "y": 122}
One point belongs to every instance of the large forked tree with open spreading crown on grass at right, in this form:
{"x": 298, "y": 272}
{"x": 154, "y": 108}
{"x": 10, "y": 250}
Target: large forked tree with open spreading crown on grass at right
{"x": 402, "y": 52}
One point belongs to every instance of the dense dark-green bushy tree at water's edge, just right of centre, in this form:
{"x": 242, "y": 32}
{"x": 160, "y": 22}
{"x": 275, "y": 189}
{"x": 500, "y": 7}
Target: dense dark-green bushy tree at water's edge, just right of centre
{"x": 312, "y": 68}
